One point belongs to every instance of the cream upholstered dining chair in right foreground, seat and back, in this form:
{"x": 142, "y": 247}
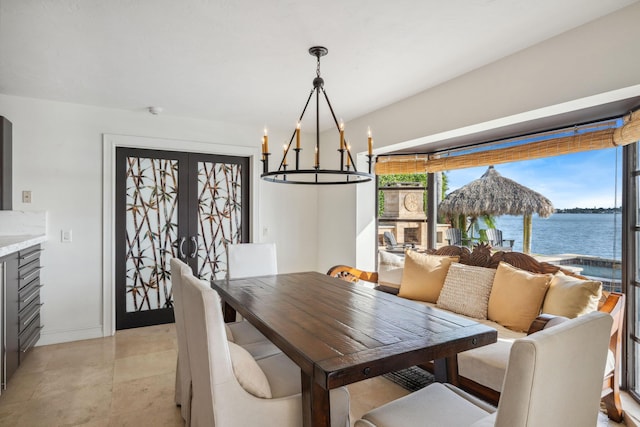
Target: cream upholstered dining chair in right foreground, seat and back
{"x": 553, "y": 378}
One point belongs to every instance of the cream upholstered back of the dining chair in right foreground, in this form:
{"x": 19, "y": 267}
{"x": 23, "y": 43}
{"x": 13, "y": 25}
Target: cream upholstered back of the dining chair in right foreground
{"x": 554, "y": 377}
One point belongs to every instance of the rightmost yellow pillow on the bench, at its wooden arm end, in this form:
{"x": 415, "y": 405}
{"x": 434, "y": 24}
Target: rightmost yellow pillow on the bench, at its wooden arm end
{"x": 571, "y": 297}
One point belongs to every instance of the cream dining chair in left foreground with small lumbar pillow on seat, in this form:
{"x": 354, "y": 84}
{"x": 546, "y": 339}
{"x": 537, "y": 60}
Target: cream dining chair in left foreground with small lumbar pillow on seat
{"x": 233, "y": 389}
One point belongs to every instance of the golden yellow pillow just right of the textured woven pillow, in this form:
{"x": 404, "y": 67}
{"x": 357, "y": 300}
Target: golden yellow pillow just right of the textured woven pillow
{"x": 516, "y": 297}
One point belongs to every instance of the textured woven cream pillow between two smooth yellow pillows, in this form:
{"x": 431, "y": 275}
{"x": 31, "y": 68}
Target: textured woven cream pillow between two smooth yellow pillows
{"x": 466, "y": 290}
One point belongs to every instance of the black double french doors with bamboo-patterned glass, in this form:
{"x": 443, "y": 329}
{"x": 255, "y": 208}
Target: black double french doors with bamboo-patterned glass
{"x": 173, "y": 204}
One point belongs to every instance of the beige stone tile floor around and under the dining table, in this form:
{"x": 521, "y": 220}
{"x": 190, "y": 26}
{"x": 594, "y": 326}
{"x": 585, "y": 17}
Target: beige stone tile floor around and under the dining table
{"x": 124, "y": 380}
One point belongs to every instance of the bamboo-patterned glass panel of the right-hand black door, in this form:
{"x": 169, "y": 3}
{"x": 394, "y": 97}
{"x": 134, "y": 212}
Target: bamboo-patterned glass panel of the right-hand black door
{"x": 219, "y": 216}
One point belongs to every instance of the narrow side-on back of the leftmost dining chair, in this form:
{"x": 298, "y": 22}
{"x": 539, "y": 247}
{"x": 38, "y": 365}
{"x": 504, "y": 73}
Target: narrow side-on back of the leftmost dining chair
{"x": 183, "y": 374}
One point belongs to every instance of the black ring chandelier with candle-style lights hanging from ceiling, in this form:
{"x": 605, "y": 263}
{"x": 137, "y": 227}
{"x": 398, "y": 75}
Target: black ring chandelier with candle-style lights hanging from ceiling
{"x": 345, "y": 173}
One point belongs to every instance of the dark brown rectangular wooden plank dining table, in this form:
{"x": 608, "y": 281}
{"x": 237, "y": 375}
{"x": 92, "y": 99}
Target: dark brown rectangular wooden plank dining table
{"x": 340, "y": 333}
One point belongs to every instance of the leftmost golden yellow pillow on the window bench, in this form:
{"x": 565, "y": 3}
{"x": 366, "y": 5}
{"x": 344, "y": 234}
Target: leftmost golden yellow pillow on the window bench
{"x": 424, "y": 275}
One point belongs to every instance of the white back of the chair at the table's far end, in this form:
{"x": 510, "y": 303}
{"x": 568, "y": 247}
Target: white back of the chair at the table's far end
{"x": 251, "y": 259}
